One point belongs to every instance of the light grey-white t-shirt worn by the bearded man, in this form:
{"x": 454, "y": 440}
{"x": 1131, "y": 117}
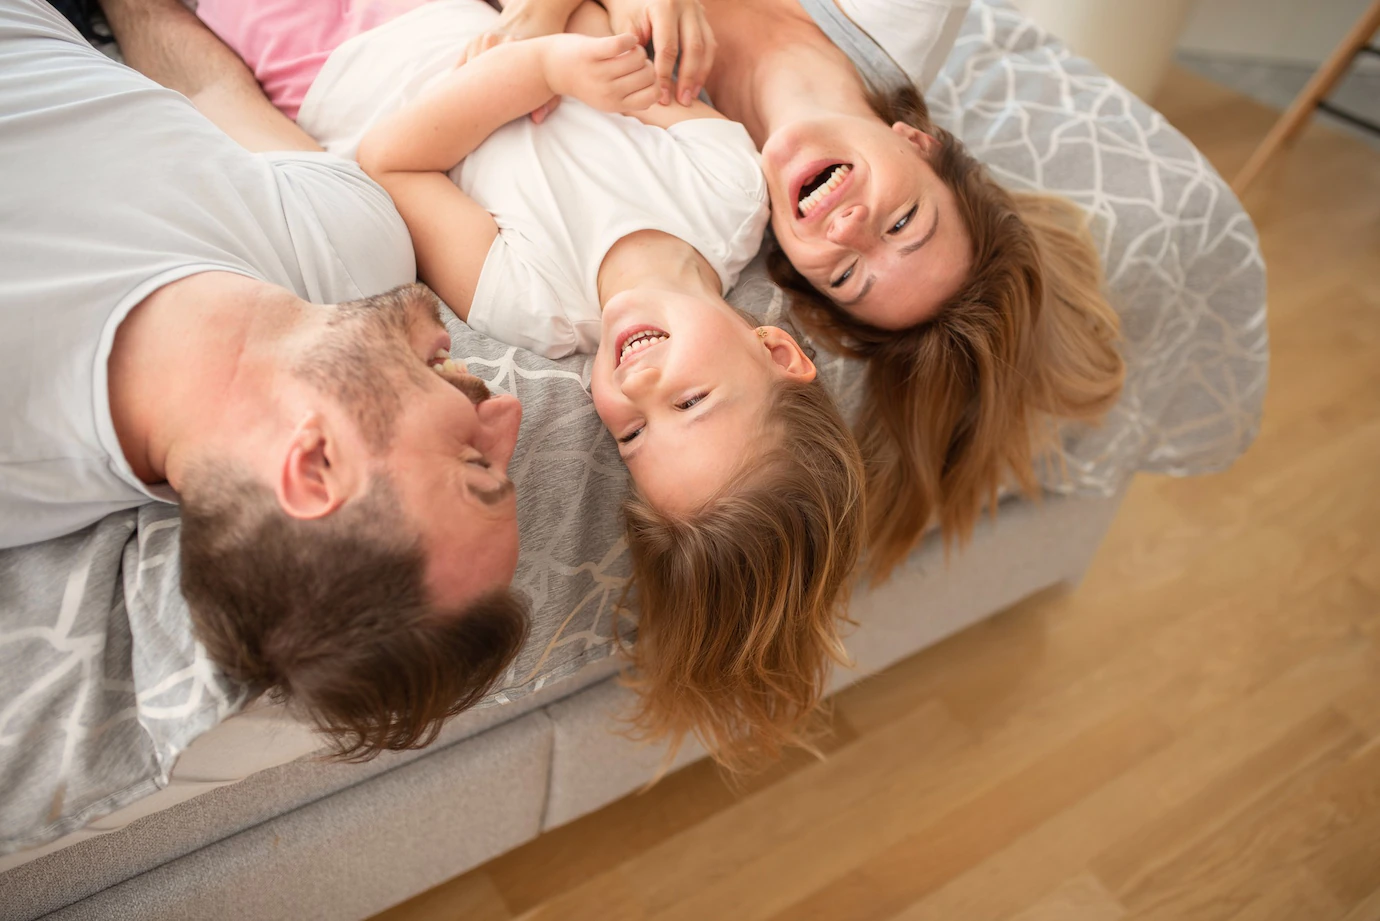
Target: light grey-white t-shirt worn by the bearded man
{"x": 115, "y": 187}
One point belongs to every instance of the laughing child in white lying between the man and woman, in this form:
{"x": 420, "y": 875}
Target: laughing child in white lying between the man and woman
{"x": 601, "y": 233}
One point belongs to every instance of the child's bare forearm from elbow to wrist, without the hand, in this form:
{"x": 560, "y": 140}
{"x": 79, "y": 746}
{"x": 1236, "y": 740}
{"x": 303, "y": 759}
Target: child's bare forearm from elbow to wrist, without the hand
{"x": 445, "y": 126}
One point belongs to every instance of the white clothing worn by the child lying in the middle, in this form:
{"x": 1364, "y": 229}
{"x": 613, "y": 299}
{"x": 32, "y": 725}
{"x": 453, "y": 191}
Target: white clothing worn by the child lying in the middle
{"x": 562, "y": 193}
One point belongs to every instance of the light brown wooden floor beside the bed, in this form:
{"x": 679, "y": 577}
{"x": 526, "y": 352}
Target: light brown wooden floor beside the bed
{"x": 1193, "y": 734}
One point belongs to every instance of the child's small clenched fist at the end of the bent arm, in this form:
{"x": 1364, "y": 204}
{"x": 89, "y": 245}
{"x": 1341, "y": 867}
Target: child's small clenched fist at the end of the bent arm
{"x": 611, "y": 74}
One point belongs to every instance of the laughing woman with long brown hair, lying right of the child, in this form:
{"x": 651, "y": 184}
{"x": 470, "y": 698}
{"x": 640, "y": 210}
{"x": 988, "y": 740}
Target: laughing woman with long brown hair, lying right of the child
{"x": 978, "y": 310}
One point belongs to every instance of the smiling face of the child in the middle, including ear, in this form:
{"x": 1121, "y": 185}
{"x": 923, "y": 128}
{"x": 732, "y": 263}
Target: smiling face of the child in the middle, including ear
{"x": 684, "y": 386}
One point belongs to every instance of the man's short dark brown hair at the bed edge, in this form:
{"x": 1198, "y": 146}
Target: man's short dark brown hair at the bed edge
{"x": 332, "y": 615}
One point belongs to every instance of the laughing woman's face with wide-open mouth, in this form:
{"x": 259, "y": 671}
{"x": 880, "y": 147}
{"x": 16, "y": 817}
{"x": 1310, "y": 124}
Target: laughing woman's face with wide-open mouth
{"x": 862, "y": 215}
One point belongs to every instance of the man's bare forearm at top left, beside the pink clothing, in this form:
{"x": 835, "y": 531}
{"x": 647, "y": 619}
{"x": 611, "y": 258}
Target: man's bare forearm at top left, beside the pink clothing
{"x": 164, "y": 41}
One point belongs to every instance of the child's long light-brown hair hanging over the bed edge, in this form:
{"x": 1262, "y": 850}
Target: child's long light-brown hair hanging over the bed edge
{"x": 743, "y": 603}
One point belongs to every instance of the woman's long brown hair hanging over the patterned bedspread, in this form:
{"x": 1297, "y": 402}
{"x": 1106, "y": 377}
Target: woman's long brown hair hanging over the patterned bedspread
{"x": 964, "y": 404}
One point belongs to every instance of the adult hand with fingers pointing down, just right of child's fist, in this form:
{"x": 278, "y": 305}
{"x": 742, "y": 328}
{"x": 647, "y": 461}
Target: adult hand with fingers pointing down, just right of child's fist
{"x": 677, "y": 30}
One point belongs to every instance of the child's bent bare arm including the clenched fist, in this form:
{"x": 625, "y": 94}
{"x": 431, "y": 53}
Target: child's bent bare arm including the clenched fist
{"x": 412, "y": 151}
